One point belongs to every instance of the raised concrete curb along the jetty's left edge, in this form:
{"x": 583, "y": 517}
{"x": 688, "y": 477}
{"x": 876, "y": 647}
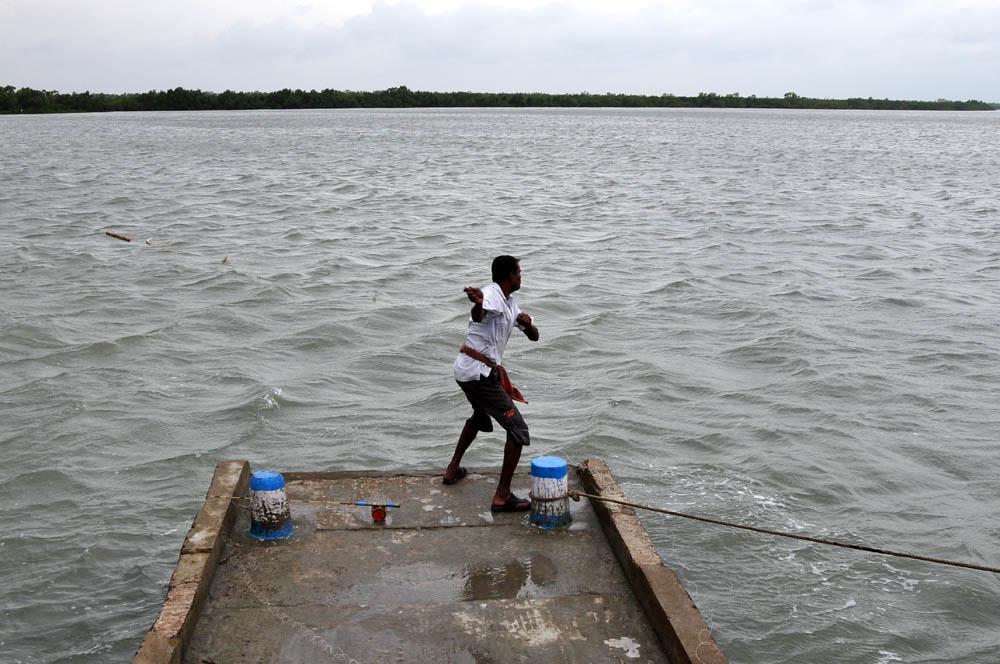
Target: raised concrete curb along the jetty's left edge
{"x": 166, "y": 640}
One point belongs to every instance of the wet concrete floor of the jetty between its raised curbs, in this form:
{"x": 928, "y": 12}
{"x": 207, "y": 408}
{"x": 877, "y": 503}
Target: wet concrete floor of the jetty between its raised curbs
{"x": 444, "y": 580}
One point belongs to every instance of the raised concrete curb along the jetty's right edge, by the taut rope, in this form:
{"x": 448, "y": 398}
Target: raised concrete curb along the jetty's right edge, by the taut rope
{"x": 678, "y": 623}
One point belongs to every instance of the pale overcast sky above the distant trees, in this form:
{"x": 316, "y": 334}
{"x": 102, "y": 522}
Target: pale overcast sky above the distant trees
{"x": 912, "y": 49}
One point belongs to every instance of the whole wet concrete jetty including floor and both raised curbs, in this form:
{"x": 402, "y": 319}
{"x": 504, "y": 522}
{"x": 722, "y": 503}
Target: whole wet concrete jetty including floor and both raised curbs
{"x": 444, "y": 580}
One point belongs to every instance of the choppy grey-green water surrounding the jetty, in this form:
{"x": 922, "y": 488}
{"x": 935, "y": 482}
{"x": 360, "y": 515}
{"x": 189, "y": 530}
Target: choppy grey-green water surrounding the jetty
{"x": 785, "y": 318}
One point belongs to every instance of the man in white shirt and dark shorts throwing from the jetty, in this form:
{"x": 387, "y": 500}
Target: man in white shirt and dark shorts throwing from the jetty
{"x": 484, "y": 381}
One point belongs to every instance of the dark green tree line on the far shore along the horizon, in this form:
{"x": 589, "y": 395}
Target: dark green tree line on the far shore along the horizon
{"x": 28, "y": 100}
